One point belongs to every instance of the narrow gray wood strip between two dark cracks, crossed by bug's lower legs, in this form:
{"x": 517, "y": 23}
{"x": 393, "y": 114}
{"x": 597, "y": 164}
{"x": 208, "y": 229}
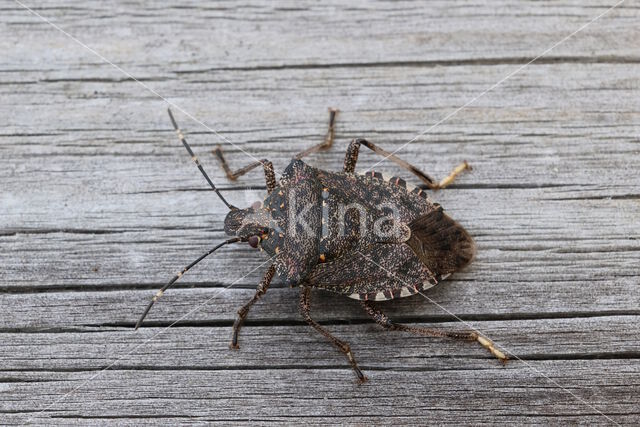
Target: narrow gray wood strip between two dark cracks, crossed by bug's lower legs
{"x": 470, "y": 300}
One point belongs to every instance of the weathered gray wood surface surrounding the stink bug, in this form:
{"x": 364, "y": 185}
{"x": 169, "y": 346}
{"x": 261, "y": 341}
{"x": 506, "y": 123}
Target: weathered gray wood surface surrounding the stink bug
{"x": 99, "y": 205}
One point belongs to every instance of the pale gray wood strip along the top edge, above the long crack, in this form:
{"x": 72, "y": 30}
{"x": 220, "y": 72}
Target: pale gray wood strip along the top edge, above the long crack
{"x": 256, "y": 33}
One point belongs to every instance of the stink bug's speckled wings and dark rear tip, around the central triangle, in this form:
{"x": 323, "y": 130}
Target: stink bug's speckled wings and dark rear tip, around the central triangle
{"x": 370, "y": 270}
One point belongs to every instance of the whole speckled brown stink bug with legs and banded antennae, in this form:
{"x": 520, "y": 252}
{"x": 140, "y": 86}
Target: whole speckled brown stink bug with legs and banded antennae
{"x": 367, "y": 237}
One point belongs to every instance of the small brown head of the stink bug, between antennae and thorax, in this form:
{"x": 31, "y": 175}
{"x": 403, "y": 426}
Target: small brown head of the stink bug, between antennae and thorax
{"x": 249, "y": 224}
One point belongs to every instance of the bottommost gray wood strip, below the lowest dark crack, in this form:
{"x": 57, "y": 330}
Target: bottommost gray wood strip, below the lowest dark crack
{"x": 422, "y": 397}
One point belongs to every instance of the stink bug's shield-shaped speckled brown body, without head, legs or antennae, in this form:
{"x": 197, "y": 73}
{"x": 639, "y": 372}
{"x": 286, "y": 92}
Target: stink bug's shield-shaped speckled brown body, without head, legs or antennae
{"x": 365, "y": 236}
